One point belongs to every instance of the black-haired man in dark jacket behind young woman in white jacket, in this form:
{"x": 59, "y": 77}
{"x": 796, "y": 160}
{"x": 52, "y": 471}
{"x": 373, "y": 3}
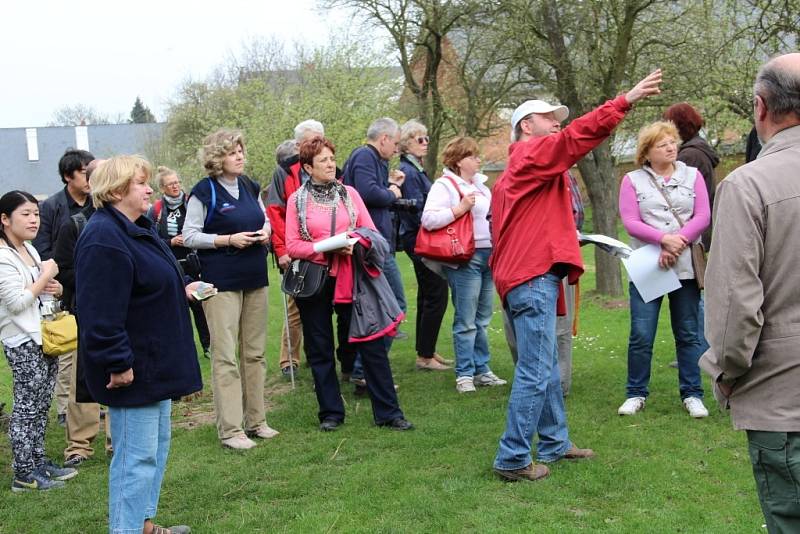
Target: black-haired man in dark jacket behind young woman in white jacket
{"x": 53, "y": 213}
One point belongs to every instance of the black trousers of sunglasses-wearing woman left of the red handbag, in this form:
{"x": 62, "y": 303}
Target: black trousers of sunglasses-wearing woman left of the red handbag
{"x": 431, "y": 306}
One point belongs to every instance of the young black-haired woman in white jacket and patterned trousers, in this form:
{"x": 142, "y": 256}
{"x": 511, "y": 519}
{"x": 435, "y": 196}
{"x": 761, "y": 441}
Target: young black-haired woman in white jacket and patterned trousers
{"x": 24, "y": 278}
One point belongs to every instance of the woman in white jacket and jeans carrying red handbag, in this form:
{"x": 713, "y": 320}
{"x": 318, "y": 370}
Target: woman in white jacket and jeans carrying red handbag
{"x": 461, "y": 192}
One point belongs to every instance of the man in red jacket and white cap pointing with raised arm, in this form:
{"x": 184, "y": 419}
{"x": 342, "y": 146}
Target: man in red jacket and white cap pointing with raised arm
{"x": 535, "y": 246}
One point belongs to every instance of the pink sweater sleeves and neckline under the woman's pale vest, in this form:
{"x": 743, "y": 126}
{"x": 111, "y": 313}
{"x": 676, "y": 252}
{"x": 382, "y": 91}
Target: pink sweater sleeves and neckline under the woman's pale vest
{"x": 636, "y": 227}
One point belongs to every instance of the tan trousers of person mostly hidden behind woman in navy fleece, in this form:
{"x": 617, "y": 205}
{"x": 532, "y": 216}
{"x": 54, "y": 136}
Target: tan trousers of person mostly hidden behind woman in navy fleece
{"x": 83, "y": 420}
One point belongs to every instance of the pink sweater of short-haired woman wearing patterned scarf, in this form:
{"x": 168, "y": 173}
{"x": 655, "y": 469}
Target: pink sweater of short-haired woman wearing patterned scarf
{"x": 319, "y": 226}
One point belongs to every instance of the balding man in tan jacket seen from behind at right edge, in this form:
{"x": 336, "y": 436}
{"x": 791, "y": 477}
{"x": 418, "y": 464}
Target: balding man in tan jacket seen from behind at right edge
{"x": 753, "y": 295}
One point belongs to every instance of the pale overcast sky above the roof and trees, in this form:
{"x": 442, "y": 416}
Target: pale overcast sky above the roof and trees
{"x": 106, "y": 53}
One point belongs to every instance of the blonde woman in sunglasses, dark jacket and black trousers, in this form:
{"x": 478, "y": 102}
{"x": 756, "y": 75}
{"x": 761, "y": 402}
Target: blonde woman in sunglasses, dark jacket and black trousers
{"x": 431, "y": 288}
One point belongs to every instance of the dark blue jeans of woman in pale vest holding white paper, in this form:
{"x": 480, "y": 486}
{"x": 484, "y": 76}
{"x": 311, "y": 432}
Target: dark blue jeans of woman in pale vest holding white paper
{"x": 683, "y": 308}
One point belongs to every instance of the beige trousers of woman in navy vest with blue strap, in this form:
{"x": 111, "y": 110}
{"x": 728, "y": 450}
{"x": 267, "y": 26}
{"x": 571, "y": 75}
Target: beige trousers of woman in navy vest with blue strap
{"x": 238, "y": 319}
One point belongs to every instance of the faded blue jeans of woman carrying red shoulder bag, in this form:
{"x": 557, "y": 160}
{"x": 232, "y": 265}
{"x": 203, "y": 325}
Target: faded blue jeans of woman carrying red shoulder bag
{"x": 472, "y": 292}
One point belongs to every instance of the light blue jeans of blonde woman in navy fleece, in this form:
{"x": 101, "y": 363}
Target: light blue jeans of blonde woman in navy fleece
{"x": 140, "y": 436}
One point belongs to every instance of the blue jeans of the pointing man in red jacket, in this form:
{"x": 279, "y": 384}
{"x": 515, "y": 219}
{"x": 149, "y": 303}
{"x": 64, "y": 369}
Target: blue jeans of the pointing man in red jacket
{"x": 536, "y": 403}
